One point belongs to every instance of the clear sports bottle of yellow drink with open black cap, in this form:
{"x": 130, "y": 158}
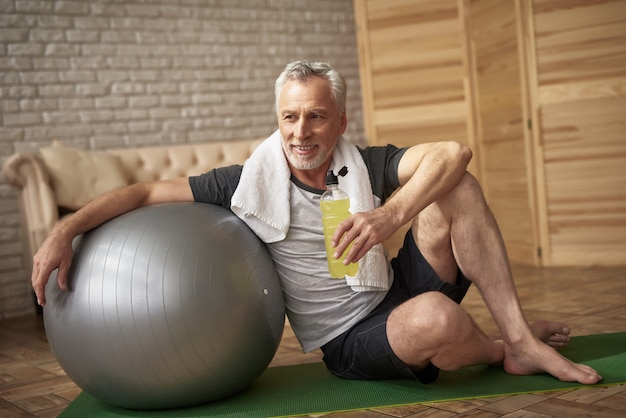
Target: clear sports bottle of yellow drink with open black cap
{"x": 335, "y": 206}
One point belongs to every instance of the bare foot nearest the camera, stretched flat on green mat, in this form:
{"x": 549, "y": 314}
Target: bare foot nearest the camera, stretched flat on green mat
{"x": 536, "y": 357}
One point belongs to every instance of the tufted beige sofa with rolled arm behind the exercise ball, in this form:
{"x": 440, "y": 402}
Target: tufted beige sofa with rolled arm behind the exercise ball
{"x": 39, "y": 192}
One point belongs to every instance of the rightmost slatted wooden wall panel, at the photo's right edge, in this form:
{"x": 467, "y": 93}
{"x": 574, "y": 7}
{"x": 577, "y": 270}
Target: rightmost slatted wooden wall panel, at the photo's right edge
{"x": 580, "y": 50}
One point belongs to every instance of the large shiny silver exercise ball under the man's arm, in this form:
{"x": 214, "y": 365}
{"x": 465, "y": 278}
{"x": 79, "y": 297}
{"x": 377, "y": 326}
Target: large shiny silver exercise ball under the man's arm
{"x": 168, "y": 306}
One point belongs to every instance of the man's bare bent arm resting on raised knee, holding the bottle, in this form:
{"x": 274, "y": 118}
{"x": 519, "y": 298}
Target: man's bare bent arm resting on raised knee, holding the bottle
{"x": 426, "y": 172}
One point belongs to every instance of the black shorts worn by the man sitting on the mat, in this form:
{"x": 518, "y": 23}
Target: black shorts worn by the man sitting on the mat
{"x": 363, "y": 352}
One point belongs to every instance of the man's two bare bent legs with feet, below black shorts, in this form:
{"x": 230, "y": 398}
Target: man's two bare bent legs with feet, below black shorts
{"x": 459, "y": 231}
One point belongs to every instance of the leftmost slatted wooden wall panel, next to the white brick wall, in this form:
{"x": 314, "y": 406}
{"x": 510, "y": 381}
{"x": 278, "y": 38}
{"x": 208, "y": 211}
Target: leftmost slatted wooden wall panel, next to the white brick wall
{"x": 412, "y": 60}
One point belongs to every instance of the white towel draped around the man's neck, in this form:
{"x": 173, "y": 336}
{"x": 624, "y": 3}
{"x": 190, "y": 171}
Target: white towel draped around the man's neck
{"x": 267, "y": 213}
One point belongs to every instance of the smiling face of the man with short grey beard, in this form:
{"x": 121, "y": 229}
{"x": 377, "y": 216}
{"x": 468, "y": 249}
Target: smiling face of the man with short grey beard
{"x": 309, "y": 123}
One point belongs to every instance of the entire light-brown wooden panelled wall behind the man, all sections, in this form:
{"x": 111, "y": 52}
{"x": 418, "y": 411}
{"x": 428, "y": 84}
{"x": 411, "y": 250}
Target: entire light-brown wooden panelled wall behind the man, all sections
{"x": 537, "y": 90}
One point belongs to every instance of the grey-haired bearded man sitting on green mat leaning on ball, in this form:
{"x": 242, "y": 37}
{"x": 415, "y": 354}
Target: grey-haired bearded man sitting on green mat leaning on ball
{"x": 412, "y": 324}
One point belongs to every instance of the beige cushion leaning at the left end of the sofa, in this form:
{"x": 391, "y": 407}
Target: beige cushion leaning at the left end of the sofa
{"x": 77, "y": 176}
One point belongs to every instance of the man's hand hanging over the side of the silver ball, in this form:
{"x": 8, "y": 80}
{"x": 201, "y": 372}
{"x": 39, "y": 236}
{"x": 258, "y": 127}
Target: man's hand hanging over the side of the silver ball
{"x": 55, "y": 252}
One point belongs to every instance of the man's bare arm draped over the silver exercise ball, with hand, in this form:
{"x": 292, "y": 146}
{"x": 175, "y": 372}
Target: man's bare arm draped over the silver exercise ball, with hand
{"x": 56, "y": 250}
